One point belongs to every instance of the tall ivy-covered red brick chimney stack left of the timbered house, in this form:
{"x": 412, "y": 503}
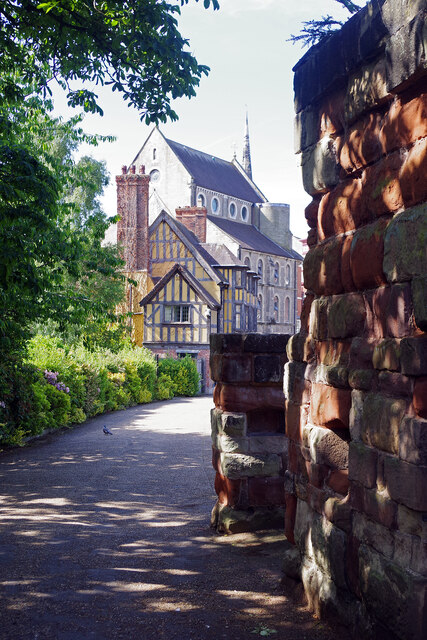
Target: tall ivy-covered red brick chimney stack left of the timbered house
{"x": 132, "y": 228}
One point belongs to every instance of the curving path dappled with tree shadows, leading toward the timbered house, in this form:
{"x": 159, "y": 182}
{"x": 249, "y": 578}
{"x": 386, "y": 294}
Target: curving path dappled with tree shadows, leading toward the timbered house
{"x": 107, "y": 537}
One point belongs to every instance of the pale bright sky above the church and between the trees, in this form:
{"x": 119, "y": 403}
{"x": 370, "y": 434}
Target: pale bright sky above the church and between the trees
{"x": 245, "y": 45}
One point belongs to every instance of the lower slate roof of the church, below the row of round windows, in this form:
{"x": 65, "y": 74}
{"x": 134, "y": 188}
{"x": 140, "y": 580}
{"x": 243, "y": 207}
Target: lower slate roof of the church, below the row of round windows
{"x": 249, "y": 237}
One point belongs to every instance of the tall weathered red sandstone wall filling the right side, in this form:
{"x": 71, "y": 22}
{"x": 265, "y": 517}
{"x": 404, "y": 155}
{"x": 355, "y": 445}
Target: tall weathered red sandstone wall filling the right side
{"x": 356, "y": 380}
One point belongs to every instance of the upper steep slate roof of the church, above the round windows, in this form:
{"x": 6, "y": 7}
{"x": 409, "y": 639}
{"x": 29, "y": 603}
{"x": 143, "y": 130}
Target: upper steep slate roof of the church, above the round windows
{"x": 215, "y": 174}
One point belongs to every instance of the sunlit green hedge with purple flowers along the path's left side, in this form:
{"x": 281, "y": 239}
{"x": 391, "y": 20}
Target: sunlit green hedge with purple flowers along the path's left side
{"x": 60, "y": 385}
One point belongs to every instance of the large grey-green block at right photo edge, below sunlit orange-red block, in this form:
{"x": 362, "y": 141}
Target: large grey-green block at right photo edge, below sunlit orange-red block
{"x": 405, "y": 245}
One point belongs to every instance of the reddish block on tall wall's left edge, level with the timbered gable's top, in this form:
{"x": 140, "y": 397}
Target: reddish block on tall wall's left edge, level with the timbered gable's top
{"x": 322, "y": 268}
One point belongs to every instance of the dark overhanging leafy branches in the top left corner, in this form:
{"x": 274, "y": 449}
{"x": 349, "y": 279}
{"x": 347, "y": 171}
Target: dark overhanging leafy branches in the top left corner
{"x": 133, "y": 46}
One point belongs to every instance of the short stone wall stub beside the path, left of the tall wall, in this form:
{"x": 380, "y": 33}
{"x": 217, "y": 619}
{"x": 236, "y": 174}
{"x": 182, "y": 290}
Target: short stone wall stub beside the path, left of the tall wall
{"x": 249, "y": 451}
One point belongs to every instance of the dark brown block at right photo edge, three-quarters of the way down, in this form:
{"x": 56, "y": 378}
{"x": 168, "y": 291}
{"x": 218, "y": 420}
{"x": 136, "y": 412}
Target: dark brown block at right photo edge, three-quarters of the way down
{"x": 406, "y": 483}
